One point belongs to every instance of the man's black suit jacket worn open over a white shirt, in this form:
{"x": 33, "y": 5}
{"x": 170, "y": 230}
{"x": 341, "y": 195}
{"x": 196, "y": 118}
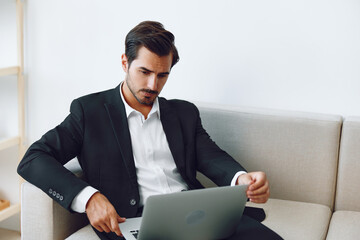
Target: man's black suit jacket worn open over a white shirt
{"x": 96, "y": 132}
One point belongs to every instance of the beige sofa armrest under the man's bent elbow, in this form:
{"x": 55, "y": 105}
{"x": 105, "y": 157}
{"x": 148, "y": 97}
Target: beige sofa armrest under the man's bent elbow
{"x": 43, "y": 218}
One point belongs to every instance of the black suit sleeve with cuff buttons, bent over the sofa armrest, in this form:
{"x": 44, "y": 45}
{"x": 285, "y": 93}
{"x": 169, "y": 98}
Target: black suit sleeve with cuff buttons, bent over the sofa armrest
{"x": 43, "y": 163}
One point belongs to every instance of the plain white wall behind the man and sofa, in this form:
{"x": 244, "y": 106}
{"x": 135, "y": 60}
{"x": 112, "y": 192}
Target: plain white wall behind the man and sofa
{"x": 292, "y": 55}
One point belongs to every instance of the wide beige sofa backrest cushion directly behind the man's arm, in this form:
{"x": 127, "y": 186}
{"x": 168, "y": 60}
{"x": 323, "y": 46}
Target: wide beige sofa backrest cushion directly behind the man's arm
{"x": 298, "y": 151}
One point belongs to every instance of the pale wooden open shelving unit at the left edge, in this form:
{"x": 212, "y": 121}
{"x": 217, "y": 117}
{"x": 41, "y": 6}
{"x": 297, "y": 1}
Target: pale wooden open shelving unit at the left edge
{"x": 19, "y": 139}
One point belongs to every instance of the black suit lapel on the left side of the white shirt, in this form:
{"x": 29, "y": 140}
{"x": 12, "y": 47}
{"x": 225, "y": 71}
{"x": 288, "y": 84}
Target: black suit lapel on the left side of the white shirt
{"x": 119, "y": 124}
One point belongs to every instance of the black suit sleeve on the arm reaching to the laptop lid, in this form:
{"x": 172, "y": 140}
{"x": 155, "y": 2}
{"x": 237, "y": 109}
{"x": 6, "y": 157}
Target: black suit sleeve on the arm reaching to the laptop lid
{"x": 212, "y": 161}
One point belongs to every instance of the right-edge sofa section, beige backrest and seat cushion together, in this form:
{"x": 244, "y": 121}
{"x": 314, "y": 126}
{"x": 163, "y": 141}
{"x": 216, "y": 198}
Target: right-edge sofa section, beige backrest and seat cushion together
{"x": 345, "y": 221}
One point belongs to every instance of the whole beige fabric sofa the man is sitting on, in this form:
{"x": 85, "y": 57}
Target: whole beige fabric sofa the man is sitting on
{"x": 311, "y": 160}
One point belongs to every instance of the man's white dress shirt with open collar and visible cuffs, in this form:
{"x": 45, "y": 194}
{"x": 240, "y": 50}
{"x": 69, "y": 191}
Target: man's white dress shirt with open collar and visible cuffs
{"x": 155, "y": 166}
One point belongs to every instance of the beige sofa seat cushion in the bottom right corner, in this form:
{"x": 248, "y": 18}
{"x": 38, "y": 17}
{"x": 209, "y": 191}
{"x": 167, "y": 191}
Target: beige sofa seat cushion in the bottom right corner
{"x": 344, "y": 225}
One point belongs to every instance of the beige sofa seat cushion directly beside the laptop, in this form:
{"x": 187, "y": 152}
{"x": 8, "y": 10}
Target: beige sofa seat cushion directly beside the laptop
{"x": 296, "y": 220}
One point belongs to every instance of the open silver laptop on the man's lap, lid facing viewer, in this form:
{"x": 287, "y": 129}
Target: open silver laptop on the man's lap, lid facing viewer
{"x": 212, "y": 213}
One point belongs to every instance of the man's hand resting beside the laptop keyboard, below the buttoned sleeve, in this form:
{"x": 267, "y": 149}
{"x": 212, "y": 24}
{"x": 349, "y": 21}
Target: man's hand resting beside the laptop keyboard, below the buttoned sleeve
{"x": 102, "y": 214}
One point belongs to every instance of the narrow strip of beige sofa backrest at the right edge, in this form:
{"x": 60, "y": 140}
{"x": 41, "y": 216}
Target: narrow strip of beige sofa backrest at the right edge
{"x": 347, "y": 191}
